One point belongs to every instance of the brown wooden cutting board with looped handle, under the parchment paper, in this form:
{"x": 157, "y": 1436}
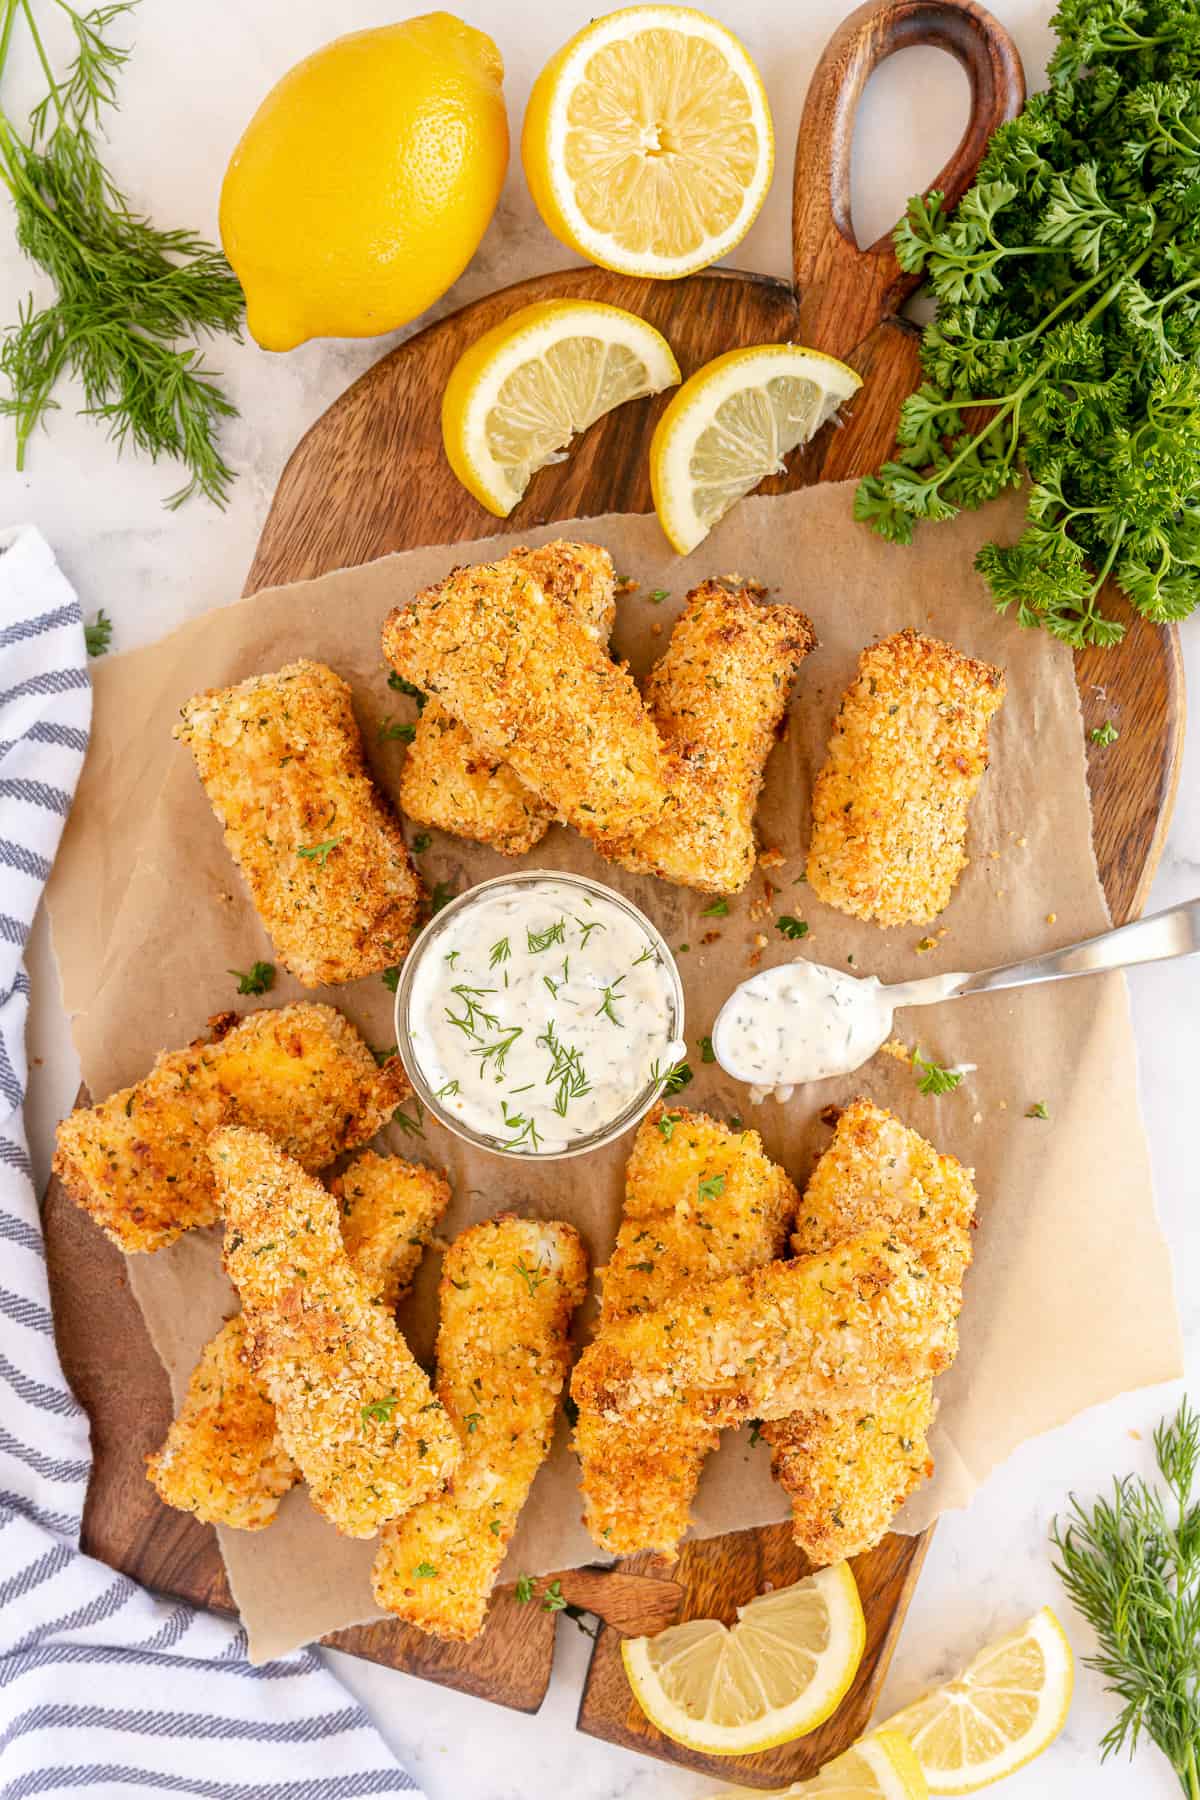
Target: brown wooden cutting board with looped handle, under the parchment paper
{"x": 368, "y": 480}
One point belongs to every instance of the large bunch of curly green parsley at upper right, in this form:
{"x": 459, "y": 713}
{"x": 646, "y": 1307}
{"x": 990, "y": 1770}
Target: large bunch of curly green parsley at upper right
{"x": 1070, "y": 325}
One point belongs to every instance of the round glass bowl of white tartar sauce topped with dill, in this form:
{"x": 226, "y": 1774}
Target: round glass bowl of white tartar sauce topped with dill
{"x": 541, "y": 1014}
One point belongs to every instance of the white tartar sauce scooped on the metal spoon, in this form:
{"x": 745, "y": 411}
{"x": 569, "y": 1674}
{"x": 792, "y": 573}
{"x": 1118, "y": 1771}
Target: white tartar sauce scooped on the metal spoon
{"x": 803, "y": 1023}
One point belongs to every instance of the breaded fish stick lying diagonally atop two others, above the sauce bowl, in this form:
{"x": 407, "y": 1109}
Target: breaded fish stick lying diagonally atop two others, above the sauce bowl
{"x": 535, "y": 690}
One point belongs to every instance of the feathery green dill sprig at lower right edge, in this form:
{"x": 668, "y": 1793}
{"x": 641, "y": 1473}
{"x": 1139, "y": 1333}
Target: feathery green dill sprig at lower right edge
{"x": 1134, "y": 1572}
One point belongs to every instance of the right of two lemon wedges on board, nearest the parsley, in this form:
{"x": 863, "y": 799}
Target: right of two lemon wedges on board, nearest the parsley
{"x": 733, "y": 424}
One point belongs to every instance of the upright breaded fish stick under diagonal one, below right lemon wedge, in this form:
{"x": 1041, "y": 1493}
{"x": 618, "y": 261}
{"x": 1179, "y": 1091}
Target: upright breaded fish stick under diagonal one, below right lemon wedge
{"x": 719, "y": 696}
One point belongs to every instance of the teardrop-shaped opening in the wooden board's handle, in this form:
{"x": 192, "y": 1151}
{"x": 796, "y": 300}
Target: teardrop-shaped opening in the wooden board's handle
{"x": 911, "y": 118}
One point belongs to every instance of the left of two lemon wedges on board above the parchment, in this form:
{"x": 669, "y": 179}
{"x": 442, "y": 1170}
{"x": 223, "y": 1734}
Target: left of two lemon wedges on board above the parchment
{"x": 521, "y": 393}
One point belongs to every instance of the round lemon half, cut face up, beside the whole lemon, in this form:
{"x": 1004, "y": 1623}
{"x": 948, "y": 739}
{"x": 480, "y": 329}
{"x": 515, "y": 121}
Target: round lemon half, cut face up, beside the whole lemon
{"x": 649, "y": 143}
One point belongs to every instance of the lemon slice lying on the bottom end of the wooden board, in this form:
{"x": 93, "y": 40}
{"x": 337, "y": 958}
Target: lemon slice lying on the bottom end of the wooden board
{"x": 775, "y": 1675}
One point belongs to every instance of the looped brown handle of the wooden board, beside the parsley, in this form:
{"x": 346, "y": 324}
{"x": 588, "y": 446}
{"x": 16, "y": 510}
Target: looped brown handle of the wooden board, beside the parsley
{"x": 845, "y": 291}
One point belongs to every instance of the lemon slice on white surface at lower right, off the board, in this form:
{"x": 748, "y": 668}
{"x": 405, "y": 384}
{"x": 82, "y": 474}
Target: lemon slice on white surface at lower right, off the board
{"x": 1003, "y": 1711}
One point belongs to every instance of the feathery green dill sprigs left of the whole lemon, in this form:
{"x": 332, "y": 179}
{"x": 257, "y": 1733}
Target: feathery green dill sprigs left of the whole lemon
{"x": 129, "y": 298}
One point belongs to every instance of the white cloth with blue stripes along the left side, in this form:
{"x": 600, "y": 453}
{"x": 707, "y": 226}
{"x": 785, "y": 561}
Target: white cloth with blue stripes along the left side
{"x": 103, "y": 1687}
